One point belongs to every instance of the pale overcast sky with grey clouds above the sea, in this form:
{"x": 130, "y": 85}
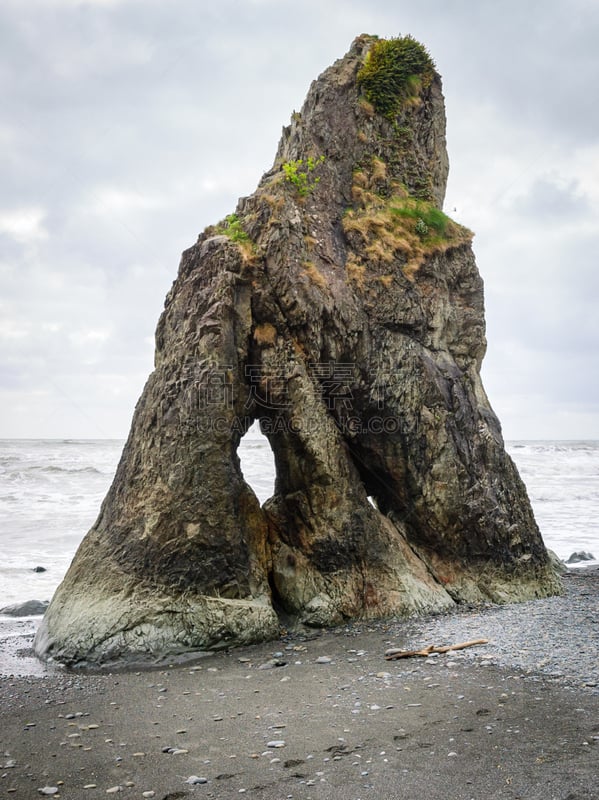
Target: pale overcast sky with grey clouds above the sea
{"x": 127, "y": 126}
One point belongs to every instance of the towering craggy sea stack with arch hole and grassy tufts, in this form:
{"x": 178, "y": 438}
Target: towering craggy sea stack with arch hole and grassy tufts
{"x": 340, "y": 307}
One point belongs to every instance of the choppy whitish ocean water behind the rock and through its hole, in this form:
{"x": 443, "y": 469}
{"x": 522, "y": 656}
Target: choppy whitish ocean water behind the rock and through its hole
{"x": 51, "y": 492}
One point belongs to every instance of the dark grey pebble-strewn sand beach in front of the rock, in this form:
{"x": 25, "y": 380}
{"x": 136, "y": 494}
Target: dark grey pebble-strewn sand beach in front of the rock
{"x": 517, "y": 718}
